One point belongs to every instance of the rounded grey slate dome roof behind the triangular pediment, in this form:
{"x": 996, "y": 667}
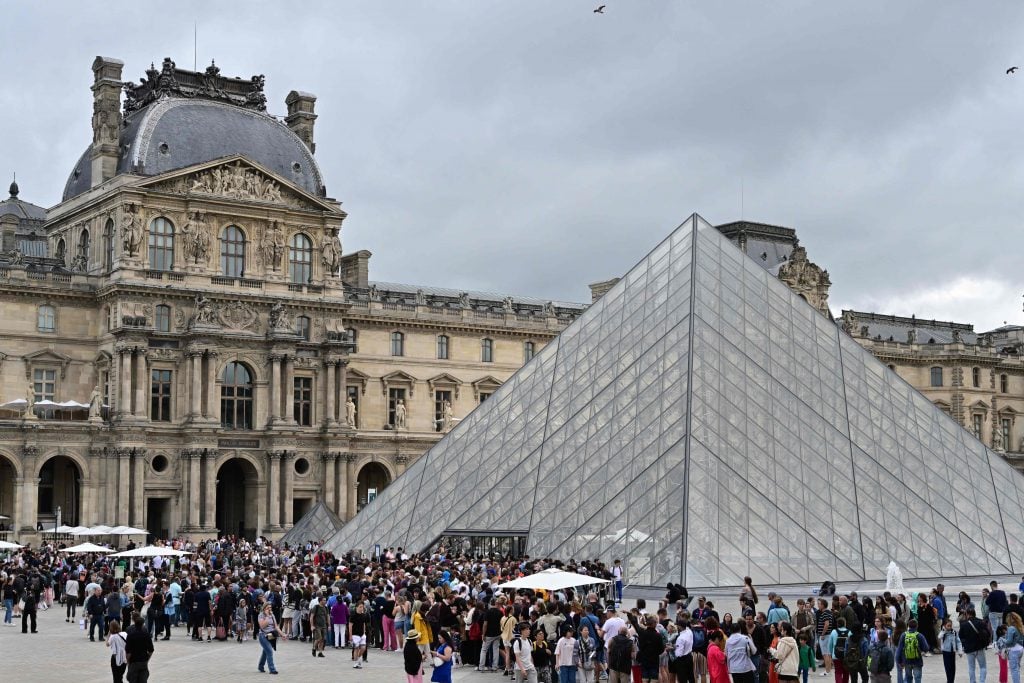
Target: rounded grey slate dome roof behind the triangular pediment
{"x": 175, "y": 134}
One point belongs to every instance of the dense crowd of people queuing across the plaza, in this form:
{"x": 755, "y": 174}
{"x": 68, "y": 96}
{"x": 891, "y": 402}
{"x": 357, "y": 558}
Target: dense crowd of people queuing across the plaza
{"x": 444, "y": 612}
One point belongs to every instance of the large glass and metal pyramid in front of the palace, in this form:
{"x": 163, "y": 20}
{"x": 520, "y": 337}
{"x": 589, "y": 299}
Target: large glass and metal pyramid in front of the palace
{"x": 704, "y": 423}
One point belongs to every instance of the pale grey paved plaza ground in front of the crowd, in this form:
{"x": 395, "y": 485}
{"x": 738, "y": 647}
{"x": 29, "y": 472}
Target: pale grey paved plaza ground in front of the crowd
{"x": 62, "y": 652}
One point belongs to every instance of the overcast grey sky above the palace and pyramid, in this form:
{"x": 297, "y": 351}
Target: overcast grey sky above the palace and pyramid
{"x": 534, "y": 147}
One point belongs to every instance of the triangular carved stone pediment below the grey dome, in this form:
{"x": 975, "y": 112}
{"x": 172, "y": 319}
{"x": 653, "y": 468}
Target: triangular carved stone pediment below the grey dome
{"x": 238, "y": 180}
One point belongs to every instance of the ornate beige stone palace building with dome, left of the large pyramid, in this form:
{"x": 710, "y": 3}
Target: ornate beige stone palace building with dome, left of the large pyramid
{"x": 187, "y": 348}
